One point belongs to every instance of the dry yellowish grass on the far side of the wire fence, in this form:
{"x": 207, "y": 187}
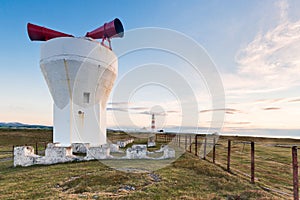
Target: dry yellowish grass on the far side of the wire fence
{"x": 273, "y": 167}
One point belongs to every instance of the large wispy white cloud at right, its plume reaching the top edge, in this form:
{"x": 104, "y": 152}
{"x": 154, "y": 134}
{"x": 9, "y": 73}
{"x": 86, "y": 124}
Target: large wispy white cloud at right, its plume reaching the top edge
{"x": 270, "y": 62}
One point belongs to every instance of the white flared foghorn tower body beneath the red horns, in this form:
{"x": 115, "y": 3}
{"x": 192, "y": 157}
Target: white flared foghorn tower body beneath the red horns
{"x": 80, "y": 73}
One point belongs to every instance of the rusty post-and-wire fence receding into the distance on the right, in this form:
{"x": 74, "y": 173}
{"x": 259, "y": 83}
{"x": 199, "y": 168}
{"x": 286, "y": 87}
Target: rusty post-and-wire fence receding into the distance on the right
{"x": 271, "y": 165}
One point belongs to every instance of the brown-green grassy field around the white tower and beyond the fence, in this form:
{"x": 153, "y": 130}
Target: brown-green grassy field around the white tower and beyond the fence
{"x": 187, "y": 178}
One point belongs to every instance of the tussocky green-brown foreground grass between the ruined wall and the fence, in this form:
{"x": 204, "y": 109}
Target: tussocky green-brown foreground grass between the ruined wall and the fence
{"x": 187, "y": 178}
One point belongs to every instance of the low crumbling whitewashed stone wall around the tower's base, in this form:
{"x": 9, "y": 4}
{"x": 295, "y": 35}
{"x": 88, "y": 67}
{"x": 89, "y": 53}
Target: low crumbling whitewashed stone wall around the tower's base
{"x": 55, "y": 153}
